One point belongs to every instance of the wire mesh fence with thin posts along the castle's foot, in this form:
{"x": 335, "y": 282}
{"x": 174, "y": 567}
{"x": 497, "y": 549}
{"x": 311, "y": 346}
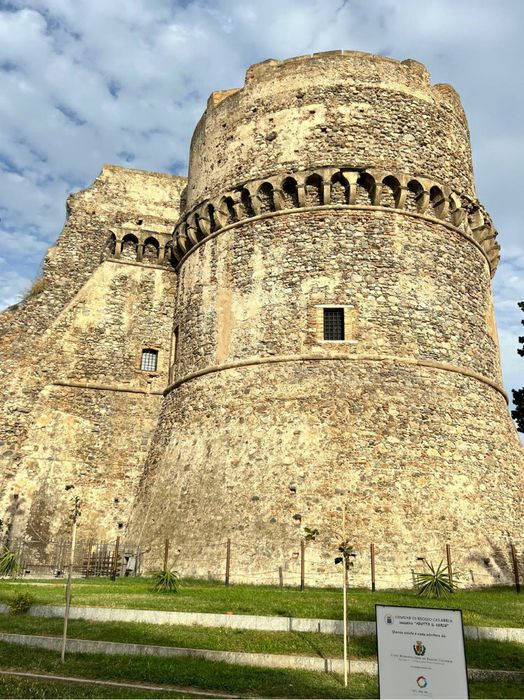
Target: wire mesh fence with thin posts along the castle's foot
{"x": 302, "y": 564}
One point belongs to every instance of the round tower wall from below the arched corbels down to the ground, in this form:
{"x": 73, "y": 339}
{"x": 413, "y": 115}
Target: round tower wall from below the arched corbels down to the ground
{"x": 269, "y": 428}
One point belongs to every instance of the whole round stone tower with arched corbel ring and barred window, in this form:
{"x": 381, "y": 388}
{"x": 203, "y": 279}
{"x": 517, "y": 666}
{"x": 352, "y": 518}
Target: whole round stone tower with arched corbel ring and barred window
{"x": 334, "y": 341}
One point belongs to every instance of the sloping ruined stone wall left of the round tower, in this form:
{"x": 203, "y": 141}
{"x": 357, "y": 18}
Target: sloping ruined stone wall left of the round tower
{"x": 76, "y": 407}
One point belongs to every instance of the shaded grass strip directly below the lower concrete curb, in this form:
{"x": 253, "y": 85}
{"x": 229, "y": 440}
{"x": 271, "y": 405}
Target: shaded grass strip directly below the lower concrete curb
{"x": 219, "y": 677}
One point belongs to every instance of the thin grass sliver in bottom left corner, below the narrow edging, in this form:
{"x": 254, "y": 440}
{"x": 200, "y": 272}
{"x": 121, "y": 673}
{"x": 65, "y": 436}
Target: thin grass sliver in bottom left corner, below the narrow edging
{"x": 12, "y": 687}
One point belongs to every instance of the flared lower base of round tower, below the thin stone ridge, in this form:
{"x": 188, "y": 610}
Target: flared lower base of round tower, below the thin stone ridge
{"x": 419, "y": 457}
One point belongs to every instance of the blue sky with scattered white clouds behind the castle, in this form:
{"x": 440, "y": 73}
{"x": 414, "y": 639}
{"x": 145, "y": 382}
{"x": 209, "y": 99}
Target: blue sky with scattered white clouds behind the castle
{"x": 90, "y": 82}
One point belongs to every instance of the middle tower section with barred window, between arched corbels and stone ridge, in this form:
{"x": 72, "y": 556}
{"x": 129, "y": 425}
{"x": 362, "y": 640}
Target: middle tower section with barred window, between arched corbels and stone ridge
{"x": 410, "y": 288}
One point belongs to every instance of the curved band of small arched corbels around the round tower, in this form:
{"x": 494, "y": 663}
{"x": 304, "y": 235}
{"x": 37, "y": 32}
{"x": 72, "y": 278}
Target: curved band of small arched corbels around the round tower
{"x": 351, "y": 187}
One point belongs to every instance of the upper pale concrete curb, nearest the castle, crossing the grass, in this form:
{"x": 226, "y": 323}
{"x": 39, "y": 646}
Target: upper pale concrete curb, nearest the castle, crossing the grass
{"x": 248, "y": 622}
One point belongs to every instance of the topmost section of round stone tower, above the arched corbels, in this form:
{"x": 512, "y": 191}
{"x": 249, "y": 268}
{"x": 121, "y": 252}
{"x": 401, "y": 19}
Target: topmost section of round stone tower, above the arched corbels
{"x": 341, "y": 107}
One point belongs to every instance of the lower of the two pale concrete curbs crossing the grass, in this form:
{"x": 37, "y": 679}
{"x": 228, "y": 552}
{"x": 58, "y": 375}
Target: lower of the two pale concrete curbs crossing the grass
{"x": 239, "y": 658}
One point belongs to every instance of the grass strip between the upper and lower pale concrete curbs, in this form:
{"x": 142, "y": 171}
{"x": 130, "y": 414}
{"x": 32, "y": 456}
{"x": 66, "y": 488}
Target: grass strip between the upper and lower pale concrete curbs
{"x": 486, "y": 654}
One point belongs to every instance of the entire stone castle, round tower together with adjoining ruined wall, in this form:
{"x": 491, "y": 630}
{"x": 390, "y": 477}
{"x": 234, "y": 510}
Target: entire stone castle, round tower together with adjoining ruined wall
{"x": 303, "y": 324}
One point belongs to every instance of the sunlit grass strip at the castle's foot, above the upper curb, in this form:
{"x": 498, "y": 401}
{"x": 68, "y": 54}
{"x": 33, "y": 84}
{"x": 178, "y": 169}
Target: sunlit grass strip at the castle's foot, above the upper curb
{"x": 495, "y": 607}
